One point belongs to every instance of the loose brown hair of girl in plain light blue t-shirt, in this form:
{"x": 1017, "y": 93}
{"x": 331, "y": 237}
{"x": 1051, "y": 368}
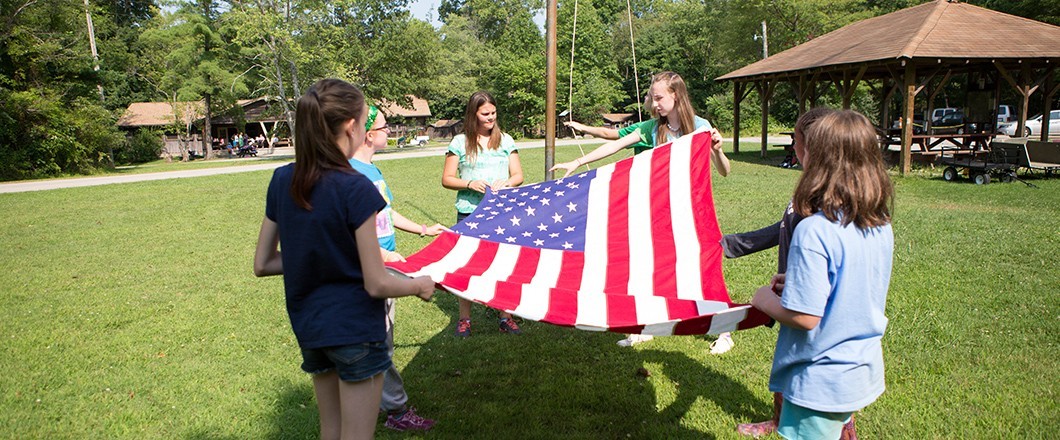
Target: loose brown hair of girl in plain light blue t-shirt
{"x": 845, "y": 179}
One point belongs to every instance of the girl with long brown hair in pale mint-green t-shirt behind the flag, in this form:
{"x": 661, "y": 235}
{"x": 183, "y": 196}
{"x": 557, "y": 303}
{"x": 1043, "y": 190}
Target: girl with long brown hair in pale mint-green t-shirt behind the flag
{"x": 482, "y": 157}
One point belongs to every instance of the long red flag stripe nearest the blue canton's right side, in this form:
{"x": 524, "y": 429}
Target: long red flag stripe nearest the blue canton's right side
{"x": 617, "y": 278}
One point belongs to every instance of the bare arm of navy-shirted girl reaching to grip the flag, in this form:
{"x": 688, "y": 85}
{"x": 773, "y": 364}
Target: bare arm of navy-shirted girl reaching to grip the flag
{"x": 378, "y": 281}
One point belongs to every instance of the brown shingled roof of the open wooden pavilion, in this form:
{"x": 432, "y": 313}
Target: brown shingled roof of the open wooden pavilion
{"x": 941, "y": 29}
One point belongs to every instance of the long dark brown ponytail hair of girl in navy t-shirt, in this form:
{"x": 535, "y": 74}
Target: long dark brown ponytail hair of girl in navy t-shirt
{"x": 320, "y": 117}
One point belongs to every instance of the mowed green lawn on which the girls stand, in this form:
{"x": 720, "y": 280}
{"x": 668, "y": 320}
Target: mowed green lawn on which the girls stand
{"x": 131, "y": 311}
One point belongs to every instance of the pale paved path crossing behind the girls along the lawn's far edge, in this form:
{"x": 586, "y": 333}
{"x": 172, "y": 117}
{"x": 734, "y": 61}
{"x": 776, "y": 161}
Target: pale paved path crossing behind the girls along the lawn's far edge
{"x": 253, "y": 166}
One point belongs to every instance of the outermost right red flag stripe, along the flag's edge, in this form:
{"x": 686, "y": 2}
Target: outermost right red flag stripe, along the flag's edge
{"x": 712, "y": 278}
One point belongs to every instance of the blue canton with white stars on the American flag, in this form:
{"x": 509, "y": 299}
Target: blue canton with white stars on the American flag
{"x": 550, "y": 215}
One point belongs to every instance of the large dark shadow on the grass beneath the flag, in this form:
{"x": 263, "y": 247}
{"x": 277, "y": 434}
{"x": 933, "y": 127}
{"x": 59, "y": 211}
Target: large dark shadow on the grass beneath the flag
{"x": 556, "y": 382}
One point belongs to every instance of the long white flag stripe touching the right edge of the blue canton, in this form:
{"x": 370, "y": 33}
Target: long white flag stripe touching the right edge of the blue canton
{"x": 595, "y": 268}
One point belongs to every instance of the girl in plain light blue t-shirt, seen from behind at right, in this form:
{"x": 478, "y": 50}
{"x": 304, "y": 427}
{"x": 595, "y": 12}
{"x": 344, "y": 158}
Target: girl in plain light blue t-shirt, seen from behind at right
{"x": 828, "y": 361}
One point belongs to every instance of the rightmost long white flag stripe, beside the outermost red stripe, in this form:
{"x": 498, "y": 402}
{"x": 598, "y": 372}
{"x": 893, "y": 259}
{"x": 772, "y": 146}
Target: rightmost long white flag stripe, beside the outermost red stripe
{"x": 685, "y": 236}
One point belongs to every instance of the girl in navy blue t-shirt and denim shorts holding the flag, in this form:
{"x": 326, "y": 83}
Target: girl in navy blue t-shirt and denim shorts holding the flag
{"x": 323, "y": 214}
